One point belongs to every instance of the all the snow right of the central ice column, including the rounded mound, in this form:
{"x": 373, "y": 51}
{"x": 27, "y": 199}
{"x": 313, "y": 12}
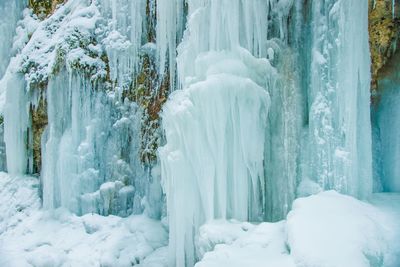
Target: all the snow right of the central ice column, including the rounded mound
{"x": 327, "y": 229}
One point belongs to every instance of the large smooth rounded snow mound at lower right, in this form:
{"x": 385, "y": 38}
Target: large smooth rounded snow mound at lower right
{"x": 330, "y": 229}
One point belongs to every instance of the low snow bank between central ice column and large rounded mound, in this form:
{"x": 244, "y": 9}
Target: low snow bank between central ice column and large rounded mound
{"x": 255, "y": 246}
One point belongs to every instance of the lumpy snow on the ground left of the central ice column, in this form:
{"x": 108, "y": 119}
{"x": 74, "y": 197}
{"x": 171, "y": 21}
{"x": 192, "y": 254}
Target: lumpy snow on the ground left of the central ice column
{"x": 30, "y": 236}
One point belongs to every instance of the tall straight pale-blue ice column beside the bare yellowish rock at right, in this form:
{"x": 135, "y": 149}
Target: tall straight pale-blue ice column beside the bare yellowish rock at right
{"x": 339, "y": 134}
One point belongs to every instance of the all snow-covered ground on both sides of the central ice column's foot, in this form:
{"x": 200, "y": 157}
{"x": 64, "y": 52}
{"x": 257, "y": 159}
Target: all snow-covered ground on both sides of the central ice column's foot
{"x": 327, "y": 229}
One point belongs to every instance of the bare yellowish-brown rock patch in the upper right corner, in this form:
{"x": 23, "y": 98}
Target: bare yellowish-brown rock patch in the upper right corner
{"x": 384, "y": 32}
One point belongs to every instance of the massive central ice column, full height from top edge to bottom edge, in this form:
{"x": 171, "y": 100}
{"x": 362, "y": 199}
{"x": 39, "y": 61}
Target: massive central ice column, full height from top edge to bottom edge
{"x": 216, "y": 126}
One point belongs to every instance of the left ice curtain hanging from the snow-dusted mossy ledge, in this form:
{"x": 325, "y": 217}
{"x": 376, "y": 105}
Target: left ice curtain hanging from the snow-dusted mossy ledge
{"x": 79, "y": 61}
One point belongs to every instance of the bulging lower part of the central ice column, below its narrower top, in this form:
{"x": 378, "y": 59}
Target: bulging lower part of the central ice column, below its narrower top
{"x": 212, "y": 165}
